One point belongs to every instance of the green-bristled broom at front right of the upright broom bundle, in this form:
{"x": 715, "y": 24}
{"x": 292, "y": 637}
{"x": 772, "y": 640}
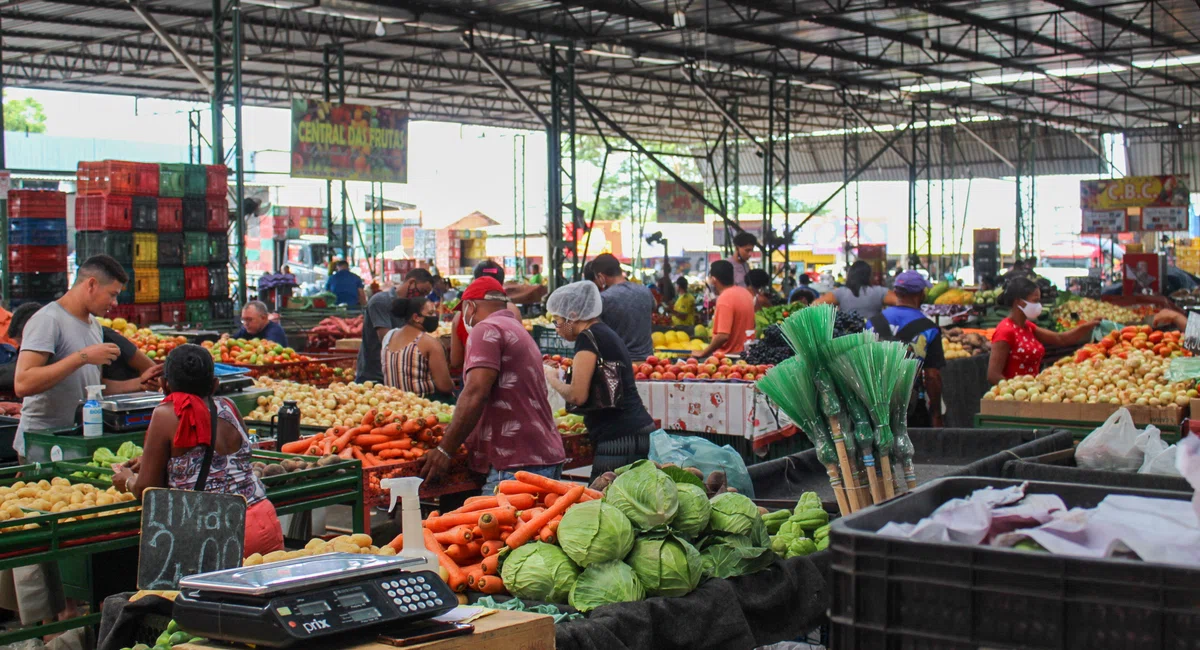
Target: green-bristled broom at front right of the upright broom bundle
{"x": 872, "y": 371}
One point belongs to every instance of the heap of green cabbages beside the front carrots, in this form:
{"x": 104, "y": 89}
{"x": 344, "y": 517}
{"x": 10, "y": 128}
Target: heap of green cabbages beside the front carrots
{"x": 655, "y": 534}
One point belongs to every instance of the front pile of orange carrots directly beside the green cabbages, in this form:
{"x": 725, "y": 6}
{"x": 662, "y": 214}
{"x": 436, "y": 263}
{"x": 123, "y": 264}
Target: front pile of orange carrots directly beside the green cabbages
{"x": 469, "y": 541}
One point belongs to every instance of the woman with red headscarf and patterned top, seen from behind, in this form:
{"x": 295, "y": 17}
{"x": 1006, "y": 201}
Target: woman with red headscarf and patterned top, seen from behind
{"x": 199, "y": 442}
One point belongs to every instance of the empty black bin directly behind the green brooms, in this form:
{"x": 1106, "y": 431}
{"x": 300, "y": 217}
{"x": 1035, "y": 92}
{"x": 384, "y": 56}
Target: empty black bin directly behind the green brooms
{"x": 939, "y": 453}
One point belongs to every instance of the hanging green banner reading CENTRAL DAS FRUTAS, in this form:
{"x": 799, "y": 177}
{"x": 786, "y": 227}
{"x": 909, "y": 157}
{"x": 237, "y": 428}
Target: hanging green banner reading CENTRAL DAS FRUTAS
{"x": 349, "y": 142}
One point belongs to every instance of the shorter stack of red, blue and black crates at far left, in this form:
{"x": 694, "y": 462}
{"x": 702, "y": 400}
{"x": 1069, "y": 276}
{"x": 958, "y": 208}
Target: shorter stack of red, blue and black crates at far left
{"x": 38, "y": 246}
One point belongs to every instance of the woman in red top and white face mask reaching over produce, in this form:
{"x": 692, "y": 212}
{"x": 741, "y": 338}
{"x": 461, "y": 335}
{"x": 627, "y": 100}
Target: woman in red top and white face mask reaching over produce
{"x": 1019, "y": 345}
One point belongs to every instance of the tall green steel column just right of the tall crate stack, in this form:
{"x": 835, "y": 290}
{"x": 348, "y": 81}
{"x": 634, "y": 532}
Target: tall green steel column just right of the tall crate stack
{"x": 227, "y": 45}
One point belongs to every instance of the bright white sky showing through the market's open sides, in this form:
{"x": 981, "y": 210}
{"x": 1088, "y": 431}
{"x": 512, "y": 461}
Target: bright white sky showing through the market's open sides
{"x": 457, "y": 170}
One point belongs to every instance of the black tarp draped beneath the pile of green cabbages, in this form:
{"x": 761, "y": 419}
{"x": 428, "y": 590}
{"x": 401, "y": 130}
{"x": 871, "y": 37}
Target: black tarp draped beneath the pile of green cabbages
{"x": 782, "y": 603}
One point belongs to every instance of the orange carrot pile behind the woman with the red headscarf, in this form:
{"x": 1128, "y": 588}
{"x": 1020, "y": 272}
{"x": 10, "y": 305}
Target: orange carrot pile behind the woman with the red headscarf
{"x": 382, "y": 437}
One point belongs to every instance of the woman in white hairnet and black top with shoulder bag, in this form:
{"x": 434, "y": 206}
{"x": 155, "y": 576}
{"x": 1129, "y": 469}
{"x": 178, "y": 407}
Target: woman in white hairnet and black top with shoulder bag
{"x": 621, "y": 435}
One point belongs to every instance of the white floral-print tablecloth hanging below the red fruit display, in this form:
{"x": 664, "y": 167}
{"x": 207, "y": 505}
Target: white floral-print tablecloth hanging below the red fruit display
{"x": 728, "y": 408}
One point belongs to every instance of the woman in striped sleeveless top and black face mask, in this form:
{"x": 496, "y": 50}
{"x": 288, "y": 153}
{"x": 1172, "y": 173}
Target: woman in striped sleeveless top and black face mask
{"x": 413, "y": 360}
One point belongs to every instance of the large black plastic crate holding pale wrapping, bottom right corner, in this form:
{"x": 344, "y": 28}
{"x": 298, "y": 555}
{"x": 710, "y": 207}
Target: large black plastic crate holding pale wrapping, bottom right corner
{"x": 898, "y": 594}
